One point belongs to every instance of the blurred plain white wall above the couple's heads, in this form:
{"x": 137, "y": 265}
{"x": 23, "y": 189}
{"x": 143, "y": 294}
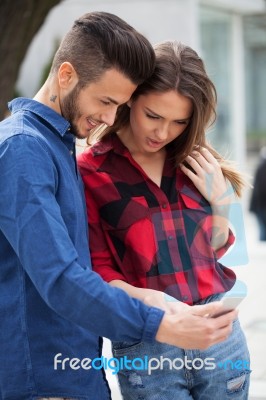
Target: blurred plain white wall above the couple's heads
{"x": 156, "y": 19}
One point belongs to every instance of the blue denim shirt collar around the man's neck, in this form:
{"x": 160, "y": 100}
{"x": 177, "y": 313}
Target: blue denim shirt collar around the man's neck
{"x": 59, "y": 123}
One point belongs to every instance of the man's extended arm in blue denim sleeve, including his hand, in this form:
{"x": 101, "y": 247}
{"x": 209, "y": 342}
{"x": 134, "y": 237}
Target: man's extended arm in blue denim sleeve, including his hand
{"x": 31, "y": 221}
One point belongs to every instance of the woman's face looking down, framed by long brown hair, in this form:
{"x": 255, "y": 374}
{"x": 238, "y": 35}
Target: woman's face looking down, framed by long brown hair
{"x": 156, "y": 119}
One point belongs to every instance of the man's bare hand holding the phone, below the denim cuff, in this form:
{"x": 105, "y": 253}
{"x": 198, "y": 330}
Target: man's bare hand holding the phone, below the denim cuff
{"x": 193, "y": 327}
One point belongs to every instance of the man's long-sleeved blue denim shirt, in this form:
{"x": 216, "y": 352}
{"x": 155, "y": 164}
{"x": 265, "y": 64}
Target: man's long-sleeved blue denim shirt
{"x": 50, "y": 300}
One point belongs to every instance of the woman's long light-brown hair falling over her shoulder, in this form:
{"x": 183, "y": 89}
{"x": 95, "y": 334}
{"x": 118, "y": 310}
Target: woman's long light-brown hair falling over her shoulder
{"x": 178, "y": 67}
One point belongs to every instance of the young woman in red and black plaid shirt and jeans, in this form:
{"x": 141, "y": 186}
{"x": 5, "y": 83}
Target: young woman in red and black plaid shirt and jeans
{"x": 157, "y": 196}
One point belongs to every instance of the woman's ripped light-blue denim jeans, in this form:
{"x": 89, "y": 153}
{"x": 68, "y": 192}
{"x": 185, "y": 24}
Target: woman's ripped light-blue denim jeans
{"x": 221, "y": 372}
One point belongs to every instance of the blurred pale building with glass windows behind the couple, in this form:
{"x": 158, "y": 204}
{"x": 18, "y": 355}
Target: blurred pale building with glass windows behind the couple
{"x": 229, "y": 34}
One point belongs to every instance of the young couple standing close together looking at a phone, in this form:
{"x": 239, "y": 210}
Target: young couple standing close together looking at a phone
{"x": 152, "y": 222}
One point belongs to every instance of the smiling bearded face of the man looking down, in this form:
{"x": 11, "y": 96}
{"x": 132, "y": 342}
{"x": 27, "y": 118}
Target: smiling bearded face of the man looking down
{"x": 96, "y": 103}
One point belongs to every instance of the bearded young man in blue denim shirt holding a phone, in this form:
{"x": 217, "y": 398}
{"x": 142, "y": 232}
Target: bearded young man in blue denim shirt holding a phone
{"x": 53, "y": 308}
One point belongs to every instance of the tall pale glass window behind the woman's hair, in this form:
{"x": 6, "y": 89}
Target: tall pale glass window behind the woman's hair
{"x": 216, "y": 33}
